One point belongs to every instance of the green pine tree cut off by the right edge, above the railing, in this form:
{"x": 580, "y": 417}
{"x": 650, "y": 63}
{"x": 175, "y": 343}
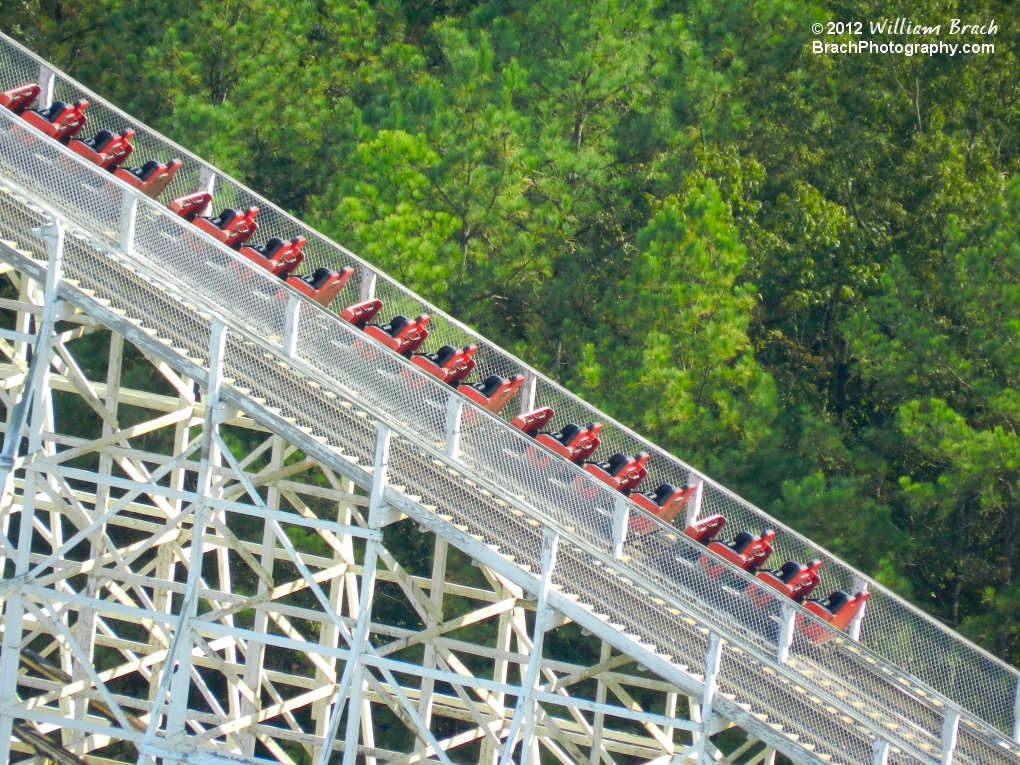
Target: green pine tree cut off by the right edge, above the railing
{"x": 944, "y": 362}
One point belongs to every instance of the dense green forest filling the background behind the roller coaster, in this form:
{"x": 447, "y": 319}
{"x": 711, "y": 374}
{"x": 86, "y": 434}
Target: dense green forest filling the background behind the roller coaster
{"x": 798, "y": 273}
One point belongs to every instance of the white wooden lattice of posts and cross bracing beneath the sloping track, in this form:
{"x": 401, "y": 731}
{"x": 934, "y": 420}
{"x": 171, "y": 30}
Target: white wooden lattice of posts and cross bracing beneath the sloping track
{"x": 112, "y": 485}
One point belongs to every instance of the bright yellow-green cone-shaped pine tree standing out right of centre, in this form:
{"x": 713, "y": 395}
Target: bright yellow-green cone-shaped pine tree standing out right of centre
{"x": 681, "y": 350}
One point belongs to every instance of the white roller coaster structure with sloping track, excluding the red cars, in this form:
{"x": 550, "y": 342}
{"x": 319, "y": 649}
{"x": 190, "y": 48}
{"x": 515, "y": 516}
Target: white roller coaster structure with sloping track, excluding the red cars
{"x": 397, "y": 450}
